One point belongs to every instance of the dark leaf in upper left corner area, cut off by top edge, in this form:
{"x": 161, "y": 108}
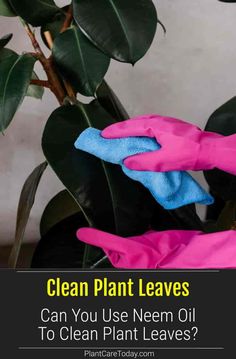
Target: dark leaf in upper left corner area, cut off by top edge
{"x": 36, "y": 12}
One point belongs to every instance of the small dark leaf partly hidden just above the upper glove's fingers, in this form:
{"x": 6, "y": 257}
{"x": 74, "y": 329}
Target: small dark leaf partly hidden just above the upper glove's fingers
{"x": 110, "y": 102}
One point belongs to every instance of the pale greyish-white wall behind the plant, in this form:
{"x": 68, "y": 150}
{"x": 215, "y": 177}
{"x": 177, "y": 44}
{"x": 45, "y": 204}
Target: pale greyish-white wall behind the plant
{"x": 187, "y": 74}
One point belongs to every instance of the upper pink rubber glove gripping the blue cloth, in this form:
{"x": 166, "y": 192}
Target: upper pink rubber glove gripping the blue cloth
{"x": 183, "y": 145}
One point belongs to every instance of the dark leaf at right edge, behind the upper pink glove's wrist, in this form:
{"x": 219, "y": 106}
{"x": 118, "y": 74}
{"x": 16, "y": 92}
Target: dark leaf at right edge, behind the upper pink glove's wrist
{"x": 223, "y": 121}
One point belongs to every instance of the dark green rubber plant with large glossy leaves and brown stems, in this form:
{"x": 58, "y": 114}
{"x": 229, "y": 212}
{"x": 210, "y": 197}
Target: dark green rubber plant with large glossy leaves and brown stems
{"x": 83, "y": 37}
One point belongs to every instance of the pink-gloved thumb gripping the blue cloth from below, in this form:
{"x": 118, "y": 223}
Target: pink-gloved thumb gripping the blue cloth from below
{"x": 149, "y": 161}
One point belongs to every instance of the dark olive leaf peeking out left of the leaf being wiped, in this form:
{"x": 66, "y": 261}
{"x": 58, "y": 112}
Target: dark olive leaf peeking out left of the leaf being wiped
{"x": 59, "y": 208}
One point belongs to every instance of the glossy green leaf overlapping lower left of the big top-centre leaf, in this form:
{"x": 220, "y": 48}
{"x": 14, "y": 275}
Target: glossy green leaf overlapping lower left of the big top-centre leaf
{"x": 80, "y": 62}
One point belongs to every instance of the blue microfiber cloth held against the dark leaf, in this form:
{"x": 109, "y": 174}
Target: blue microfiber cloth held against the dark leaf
{"x": 171, "y": 189}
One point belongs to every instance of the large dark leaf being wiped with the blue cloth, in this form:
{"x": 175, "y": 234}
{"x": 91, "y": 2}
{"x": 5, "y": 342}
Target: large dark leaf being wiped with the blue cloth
{"x": 108, "y": 198}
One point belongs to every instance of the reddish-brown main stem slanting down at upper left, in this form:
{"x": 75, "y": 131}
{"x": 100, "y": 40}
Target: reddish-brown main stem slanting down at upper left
{"x": 53, "y": 79}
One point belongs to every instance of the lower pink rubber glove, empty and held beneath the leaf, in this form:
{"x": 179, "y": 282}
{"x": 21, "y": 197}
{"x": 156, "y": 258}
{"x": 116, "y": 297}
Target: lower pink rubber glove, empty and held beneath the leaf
{"x": 167, "y": 249}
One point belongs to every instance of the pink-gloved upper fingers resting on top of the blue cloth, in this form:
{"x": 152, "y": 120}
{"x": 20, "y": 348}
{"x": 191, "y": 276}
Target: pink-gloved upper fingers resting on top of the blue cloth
{"x": 141, "y": 126}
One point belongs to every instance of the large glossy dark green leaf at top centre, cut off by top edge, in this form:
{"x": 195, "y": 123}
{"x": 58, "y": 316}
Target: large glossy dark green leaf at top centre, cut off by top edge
{"x": 122, "y": 29}
